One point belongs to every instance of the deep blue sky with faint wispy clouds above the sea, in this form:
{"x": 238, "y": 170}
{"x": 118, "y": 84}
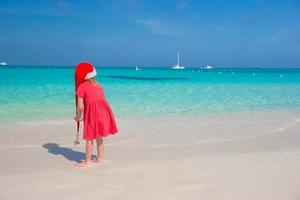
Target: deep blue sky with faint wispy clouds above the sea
{"x": 149, "y": 32}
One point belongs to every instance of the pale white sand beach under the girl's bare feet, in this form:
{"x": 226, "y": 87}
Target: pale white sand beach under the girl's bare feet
{"x": 240, "y": 156}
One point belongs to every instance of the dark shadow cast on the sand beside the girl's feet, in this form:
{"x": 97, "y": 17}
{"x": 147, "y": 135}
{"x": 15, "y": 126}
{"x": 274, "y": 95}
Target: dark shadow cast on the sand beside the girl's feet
{"x": 68, "y": 153}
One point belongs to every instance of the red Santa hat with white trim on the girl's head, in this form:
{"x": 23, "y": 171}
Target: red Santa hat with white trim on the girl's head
{"x": 83, "y": 72}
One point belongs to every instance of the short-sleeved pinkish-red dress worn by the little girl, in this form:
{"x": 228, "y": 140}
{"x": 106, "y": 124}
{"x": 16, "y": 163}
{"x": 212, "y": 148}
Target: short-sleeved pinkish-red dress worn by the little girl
{"x": 98, "y": 117}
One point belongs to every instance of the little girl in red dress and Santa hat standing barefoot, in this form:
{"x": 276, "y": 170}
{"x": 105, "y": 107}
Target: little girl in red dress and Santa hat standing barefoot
{"x": 98, "y": 117}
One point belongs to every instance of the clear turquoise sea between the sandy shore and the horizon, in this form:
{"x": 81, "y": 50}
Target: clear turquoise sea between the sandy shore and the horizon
{"x": 47, "y": 93}
